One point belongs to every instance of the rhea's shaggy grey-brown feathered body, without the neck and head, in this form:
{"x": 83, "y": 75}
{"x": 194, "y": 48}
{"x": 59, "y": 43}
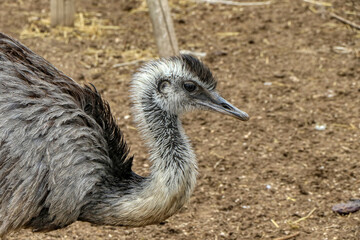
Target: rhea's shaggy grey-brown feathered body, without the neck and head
{"x": 54, "y": 134}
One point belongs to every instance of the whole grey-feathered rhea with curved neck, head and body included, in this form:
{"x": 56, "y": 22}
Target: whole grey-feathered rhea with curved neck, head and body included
{"x": 63, "y": 158}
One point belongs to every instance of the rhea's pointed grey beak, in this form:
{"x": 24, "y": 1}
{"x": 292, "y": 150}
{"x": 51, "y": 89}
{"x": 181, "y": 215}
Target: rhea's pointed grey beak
{"x": 215, "y": 102}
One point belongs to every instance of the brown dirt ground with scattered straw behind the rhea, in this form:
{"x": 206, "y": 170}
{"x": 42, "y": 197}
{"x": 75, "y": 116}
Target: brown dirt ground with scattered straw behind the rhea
{"x": 292, "y": 67}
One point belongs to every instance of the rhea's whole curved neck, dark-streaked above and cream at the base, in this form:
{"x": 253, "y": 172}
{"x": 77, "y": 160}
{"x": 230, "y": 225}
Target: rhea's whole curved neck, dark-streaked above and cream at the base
{"x": 173, "y": 171}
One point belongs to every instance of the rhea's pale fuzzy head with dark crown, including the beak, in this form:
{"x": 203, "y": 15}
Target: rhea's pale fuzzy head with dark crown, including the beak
{"x": 178, "y": 84}
